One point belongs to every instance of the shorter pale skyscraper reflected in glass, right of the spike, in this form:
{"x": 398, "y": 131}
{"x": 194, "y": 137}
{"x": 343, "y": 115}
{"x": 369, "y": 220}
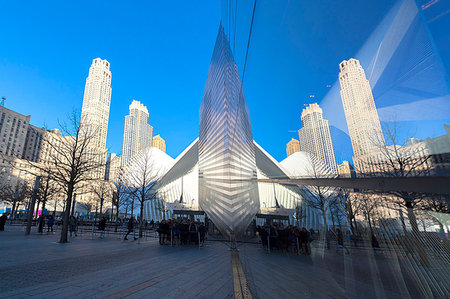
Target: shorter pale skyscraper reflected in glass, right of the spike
{"x": 315, "y": 136}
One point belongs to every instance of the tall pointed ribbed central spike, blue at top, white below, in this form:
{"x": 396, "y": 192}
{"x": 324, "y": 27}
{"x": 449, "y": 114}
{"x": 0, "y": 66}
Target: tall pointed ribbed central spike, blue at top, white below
{"x": 226, "y": 150}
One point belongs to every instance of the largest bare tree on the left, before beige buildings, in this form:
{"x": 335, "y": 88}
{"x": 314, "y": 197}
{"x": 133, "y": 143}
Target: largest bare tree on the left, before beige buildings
{"x": 72, "y": 159}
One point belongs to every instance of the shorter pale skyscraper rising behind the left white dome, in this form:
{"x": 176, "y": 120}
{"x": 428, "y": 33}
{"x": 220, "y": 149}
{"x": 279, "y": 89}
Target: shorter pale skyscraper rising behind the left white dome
{"x": 137, "y": 133}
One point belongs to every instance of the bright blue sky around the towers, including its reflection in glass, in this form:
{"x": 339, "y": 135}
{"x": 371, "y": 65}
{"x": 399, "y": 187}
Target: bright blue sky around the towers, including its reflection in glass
{"x": 160, "y": 52}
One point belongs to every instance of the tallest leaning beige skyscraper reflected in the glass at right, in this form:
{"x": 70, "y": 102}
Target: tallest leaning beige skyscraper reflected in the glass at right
{"x": 359, "y": 107}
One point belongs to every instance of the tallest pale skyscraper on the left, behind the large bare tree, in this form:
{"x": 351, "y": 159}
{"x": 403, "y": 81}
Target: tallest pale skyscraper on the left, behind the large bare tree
{"x": 97, "y": 99}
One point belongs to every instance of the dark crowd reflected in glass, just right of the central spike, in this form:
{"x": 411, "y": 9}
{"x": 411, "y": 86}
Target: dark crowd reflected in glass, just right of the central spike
{"x": 286, "y": 238}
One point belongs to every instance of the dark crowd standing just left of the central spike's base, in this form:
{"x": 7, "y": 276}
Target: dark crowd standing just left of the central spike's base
{"x": 183, "y": 231}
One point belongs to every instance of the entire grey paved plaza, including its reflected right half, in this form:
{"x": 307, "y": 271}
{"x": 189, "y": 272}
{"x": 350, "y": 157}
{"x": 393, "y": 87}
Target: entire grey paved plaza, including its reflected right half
{"x": 38, "y": 266}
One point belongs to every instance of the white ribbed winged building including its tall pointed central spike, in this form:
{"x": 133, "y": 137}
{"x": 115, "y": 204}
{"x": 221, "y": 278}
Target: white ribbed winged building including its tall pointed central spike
{"x": 215, "y": 171}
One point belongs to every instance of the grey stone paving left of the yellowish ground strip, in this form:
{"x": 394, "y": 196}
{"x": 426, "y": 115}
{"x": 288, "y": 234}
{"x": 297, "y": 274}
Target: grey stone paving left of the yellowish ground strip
{"x": 109, "y": 268}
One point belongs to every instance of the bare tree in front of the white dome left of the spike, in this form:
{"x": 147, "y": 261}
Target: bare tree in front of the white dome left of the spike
{"x": 141, "y": 177}
